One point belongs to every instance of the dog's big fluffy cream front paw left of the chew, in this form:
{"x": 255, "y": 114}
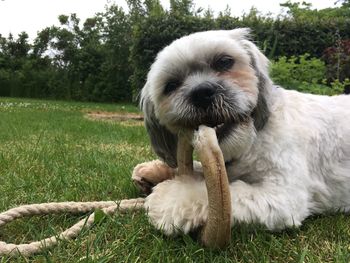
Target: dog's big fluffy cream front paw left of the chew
{"x": 179, "y": 205}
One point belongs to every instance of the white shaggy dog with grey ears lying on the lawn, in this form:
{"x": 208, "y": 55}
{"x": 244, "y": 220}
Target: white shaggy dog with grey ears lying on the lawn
{"x": 287, "y": 154}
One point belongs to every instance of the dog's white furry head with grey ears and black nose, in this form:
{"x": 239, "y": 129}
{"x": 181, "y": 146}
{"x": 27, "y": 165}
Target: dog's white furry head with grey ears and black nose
{"x": 215, "y": 78}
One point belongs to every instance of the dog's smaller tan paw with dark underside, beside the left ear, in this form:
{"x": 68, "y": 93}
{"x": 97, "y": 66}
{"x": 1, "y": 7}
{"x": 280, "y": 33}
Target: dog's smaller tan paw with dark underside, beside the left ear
{"x": 147, "y": 175}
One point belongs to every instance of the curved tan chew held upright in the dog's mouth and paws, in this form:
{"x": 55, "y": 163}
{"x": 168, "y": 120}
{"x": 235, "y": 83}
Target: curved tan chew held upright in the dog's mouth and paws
{"x": 216, "y": 232}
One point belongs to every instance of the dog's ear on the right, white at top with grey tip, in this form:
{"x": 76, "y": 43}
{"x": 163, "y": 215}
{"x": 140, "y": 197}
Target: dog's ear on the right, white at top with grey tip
{"x": 260, "y": 64}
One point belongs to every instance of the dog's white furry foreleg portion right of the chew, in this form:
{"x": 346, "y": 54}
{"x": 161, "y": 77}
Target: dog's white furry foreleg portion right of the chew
{"x": 269, "y": 204}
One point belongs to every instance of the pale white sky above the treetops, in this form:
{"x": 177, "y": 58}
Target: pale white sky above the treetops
{"x": 33, "y": 15}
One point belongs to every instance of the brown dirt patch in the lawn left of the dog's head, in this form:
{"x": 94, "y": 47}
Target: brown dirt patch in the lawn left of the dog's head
{"x": 114, "y": 116}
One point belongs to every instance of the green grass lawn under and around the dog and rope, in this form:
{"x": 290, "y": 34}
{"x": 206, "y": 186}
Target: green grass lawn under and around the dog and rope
{"x": 49, "y": 151}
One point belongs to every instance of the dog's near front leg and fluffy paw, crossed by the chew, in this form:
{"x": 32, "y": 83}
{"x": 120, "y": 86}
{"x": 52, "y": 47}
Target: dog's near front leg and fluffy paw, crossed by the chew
{"x": 181, "y": 205}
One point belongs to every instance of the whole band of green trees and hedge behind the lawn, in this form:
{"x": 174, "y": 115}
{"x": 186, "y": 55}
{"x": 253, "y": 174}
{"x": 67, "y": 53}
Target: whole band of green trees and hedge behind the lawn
{"x": 106, "y": 57}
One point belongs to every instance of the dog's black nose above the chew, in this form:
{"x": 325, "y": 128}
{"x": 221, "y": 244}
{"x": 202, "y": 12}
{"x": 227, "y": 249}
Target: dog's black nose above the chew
{"x": 203, "y": 94}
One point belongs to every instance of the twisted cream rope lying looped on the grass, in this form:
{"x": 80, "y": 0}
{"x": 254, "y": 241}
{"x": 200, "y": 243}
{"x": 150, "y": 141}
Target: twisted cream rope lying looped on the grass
{"x": 108, "y": 207}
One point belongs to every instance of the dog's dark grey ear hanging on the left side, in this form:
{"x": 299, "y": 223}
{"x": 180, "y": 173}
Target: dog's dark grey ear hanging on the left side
{"x": 164, "y": 142}
